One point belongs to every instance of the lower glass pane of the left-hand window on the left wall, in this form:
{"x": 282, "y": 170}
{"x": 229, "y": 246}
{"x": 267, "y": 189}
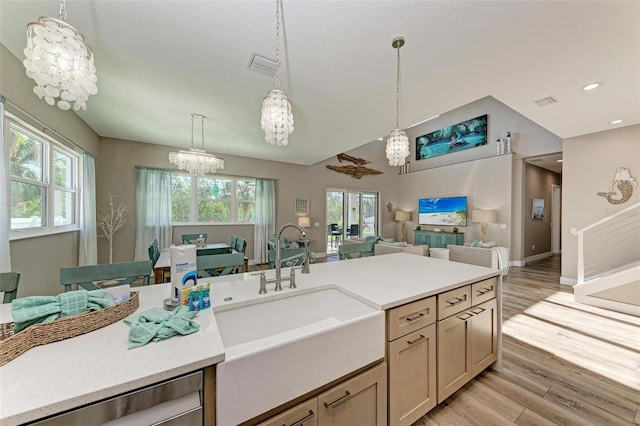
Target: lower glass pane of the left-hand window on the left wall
{"x": 27, "y": 205}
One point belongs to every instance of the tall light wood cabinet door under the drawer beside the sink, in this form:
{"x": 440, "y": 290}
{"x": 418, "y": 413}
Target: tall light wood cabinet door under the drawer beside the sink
{"x": 412, "y": 376}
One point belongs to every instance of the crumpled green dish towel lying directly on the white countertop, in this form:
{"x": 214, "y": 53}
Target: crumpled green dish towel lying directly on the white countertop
{"x": 157, "y": 324}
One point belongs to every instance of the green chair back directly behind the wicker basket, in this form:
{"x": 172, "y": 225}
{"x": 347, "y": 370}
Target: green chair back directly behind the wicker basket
{"x": 87, "y": 276}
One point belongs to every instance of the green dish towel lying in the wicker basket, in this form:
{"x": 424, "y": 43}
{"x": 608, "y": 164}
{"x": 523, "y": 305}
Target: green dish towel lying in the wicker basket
{"x": 31, "y": 310}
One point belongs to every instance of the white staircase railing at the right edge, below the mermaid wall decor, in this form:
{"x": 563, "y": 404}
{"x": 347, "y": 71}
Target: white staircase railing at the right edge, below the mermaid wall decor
{"x": 609, "y": 243}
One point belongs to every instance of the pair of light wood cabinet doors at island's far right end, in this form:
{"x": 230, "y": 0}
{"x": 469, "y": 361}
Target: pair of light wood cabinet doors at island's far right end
{"x": 467, "y": 344}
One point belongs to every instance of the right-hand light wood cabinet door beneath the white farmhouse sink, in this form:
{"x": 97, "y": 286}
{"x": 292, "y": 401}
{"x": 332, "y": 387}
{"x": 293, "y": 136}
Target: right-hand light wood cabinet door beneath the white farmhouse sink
{"x": 360, "y": 401}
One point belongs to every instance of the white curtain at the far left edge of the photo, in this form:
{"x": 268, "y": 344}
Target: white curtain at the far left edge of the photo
{"x": 5, "y": 222}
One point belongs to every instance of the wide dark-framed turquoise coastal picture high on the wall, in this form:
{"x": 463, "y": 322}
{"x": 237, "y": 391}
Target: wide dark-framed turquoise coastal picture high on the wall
{"x": 467, "y": 134}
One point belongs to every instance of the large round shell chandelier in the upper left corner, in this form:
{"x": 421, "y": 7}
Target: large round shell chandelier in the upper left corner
{"x": 60, "y": 62}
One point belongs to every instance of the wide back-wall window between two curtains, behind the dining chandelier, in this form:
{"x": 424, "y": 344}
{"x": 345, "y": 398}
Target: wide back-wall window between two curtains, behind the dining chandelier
{"x": 212, "y": 199}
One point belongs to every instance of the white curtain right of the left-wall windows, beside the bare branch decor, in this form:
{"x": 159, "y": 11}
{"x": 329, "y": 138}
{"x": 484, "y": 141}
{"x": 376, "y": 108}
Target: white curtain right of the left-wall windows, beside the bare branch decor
{"x": 88, "y": 232}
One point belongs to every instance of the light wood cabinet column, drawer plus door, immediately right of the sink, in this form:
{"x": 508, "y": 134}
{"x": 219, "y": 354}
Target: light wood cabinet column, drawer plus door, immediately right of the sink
{"x": 411, "y": 354}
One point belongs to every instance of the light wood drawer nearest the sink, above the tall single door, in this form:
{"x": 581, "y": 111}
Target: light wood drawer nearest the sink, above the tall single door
{"x": 410, "y": 317}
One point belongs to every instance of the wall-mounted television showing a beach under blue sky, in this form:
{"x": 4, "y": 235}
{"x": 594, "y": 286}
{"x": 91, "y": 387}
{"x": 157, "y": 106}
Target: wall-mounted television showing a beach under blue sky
{"x": 443, "y": 211}
